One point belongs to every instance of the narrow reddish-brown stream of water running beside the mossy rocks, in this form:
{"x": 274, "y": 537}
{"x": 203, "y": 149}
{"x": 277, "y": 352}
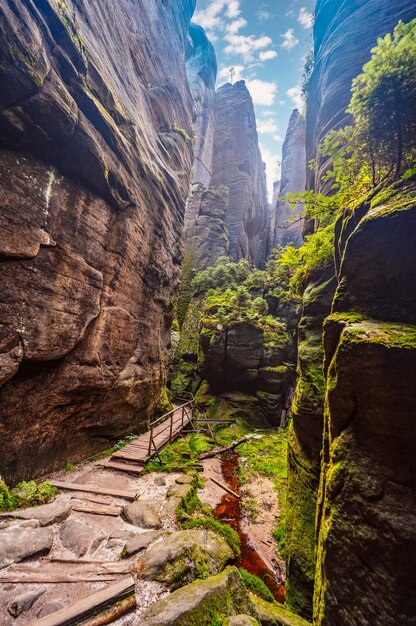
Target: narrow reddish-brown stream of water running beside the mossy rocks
{"x": 229, "y": 512}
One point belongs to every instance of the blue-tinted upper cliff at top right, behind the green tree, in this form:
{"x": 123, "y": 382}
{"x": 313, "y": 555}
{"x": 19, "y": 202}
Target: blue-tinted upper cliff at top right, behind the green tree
{"x": 344, "y": 34}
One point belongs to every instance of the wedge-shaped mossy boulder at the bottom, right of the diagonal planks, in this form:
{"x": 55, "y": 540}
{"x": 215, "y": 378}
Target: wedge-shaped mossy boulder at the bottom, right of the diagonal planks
{"x": 197, "y": 603}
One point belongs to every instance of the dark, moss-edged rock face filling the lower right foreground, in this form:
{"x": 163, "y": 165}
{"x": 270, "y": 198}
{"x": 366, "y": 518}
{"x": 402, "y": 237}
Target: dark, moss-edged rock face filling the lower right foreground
{"x": 367, "y": 518}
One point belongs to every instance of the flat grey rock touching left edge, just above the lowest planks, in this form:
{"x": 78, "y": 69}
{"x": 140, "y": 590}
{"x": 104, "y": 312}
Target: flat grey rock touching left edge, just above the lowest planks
{"x": 18, "y": 543}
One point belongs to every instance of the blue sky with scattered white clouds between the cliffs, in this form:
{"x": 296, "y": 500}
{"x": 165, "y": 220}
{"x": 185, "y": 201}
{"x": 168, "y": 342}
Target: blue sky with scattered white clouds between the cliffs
{"x": 266, "y": 43}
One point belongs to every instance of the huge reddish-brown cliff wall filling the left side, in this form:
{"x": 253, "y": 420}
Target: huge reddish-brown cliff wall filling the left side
{"x": 93, "y": 180}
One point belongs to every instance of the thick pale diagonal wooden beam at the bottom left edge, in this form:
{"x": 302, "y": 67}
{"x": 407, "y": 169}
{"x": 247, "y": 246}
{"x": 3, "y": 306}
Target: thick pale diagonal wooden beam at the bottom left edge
{"x": 87, "y": 606}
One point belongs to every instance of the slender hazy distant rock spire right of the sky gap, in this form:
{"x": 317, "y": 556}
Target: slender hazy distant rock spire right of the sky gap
{"x": 286, "y": 228}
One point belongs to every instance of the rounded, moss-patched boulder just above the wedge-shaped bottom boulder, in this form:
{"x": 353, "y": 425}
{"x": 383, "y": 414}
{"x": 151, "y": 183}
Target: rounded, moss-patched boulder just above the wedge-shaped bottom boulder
{"x": 184, "y": 556}
